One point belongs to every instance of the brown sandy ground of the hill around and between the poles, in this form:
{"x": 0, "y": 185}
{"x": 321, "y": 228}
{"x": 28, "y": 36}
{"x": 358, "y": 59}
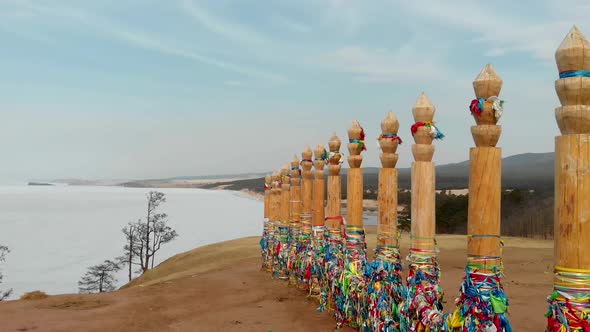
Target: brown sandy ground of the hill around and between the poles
{"x": 220, "y": 288}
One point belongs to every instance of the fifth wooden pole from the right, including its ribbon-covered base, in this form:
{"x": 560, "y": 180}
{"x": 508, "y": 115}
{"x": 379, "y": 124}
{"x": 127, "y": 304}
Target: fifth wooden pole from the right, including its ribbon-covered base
{"x": 352, "y": 307}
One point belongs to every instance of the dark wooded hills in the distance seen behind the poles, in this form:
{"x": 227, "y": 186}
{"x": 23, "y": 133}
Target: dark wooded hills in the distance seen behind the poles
{"x": 527, "y": 203}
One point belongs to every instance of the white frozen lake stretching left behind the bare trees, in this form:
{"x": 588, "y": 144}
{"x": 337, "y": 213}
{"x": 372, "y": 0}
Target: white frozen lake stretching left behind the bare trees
{"x": 56, "y": 232}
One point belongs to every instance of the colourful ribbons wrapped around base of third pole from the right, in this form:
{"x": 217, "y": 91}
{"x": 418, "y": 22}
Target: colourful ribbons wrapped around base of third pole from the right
{"x": 422, "y": 308}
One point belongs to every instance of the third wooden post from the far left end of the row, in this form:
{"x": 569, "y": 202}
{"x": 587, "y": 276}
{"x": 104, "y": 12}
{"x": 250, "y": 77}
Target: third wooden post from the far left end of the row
{"x": 283, "y": 225}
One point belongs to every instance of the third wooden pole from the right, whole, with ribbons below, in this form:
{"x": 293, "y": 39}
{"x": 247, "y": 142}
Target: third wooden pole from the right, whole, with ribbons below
{"x": 422, "y": 309}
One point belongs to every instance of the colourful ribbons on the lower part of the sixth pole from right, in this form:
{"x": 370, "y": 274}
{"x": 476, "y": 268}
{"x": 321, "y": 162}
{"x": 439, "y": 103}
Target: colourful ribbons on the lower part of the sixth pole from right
{"x": 334, "y": 262}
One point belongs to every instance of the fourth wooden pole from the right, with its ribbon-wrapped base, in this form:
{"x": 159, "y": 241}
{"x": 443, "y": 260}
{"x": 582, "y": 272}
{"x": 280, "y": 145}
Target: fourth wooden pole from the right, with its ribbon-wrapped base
{"x": 386, "y": 286}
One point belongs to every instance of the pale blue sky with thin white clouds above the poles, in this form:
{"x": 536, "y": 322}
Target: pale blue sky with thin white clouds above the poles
{"x": 135, "y": 89}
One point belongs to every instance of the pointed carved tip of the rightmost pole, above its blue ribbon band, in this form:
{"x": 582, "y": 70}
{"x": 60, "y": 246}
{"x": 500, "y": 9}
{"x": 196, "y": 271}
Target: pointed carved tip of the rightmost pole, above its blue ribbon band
{"x": 574, "y": 52}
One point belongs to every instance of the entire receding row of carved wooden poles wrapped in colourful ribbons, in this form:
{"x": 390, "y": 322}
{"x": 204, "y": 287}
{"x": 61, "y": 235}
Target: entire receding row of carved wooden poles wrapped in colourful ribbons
{"x": 307, "y": 241}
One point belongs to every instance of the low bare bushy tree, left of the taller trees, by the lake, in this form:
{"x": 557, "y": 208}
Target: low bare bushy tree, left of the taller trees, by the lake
{"x": 99, "y": 278}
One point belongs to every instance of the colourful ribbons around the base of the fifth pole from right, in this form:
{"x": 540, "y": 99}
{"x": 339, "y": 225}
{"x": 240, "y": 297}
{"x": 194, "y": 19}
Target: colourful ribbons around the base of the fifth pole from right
{"x": 351, "y": 305}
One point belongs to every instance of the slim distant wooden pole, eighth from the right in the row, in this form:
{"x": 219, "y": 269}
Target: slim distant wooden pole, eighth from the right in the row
{"x": 305, "y": 254}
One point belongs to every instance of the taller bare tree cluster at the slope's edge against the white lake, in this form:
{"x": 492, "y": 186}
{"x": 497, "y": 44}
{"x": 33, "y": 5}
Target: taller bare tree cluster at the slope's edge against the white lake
{"x": 143, "y": 239}
